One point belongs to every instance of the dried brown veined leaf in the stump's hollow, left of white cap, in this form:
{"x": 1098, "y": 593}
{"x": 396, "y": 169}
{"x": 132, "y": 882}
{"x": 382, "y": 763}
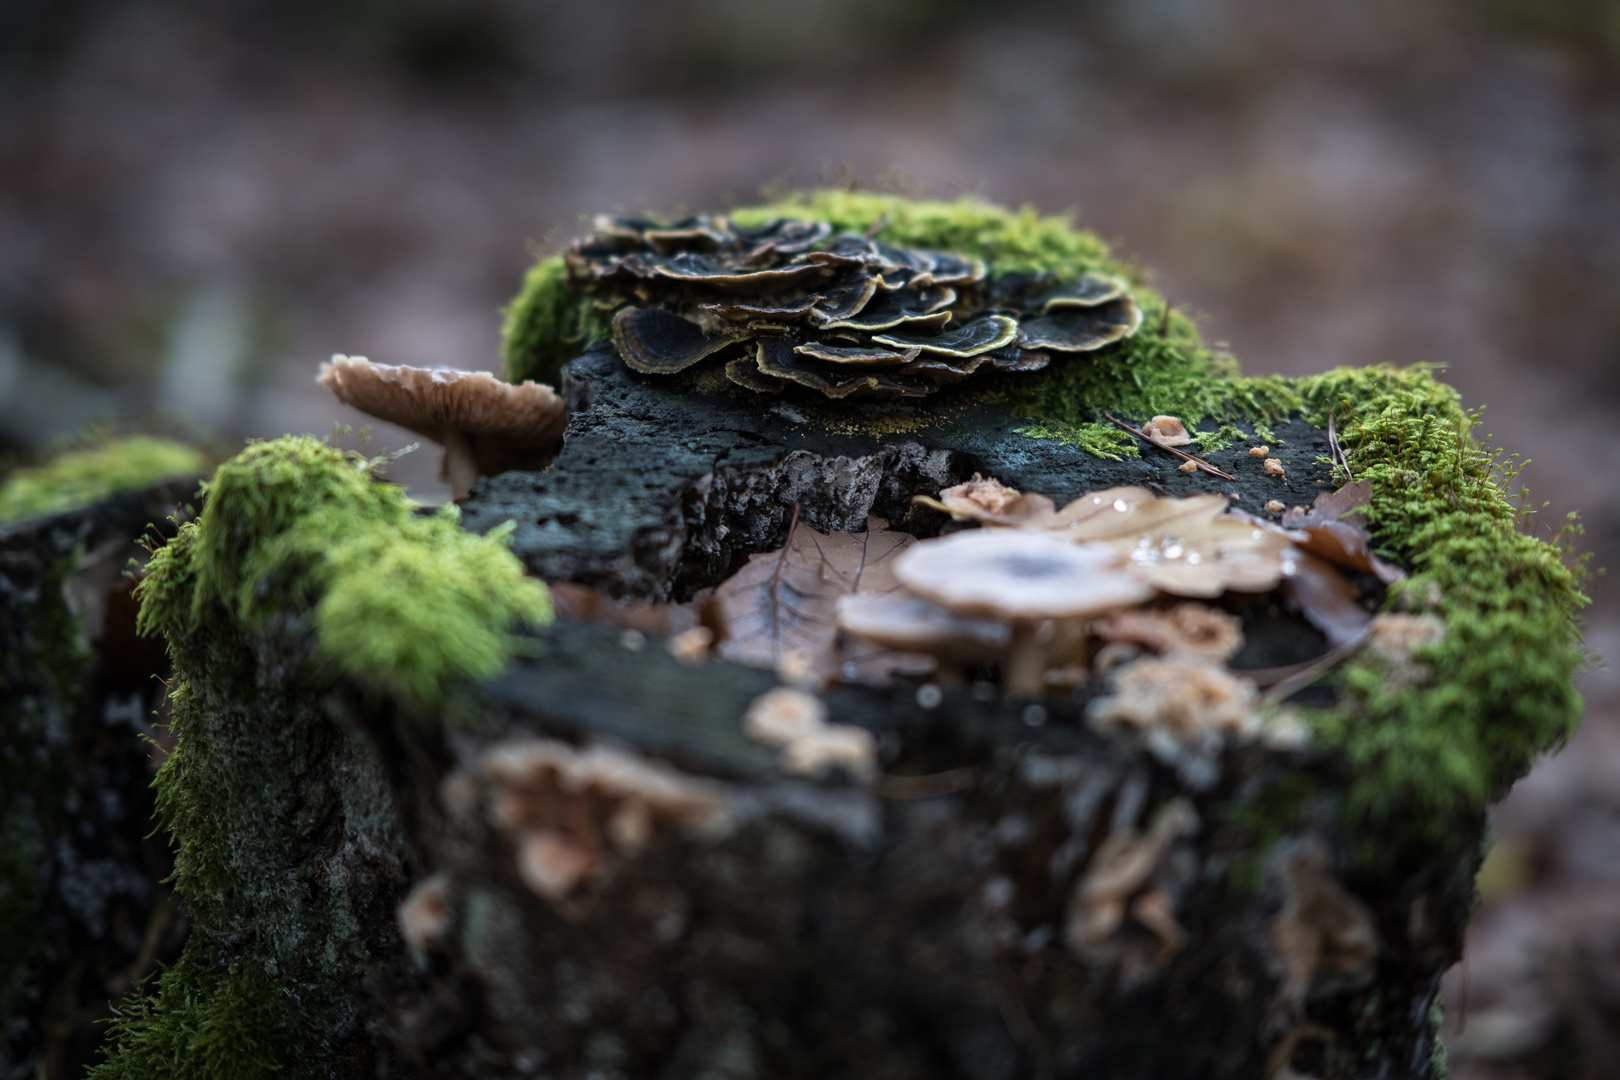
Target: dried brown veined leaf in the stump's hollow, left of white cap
{"x": 783, "y": 603}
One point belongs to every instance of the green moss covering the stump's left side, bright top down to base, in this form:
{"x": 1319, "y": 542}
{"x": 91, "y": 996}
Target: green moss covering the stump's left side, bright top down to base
{"x": 302, "y": 576}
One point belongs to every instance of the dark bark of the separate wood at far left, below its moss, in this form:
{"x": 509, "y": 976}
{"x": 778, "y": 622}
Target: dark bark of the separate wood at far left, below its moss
{"x": 85, "y": 909}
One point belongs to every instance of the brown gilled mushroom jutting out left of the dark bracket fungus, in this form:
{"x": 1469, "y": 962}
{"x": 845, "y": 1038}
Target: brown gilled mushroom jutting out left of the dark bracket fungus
{"x": 485, "y": 425}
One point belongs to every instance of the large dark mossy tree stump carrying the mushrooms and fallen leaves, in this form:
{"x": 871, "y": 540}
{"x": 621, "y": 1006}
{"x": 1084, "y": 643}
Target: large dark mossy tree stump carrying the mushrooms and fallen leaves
{"x": 1290, "y": 916}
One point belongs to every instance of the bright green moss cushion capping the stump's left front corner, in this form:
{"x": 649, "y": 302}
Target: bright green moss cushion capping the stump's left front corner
{"x": 399, "y": 602}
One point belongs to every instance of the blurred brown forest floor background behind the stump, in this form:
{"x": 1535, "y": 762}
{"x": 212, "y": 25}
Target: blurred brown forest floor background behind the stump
{"x": 203, "y": 200}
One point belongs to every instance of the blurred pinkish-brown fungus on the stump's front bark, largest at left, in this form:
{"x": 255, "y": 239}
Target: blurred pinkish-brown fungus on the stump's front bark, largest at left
{"x": 568, "y": 812}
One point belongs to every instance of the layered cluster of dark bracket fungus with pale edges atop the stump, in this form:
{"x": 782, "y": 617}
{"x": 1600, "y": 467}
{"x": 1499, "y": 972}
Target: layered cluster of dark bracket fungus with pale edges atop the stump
{"x": 848, "y": 317}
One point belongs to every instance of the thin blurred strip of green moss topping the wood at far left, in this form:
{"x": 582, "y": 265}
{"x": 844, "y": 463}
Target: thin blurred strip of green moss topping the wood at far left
{"x": 85, "y": 477}
